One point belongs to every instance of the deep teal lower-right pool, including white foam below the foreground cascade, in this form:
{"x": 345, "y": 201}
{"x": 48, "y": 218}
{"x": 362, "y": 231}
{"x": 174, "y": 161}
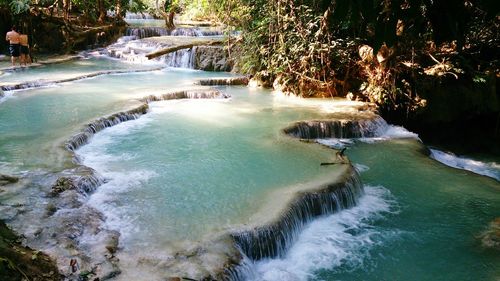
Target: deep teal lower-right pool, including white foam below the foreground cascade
{"x": 420, "y": 220}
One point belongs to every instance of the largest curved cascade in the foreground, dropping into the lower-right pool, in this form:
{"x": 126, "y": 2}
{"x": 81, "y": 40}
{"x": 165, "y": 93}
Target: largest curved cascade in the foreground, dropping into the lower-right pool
{"x": 275, "y": 239}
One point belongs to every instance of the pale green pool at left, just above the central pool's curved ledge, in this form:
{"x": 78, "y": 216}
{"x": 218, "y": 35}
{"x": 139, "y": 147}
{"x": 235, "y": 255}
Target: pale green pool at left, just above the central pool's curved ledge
{"x": 36, "y": 122}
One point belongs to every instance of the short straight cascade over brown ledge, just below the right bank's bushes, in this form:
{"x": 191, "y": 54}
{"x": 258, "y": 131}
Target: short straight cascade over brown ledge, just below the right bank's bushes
{"x": 320, "y": 129}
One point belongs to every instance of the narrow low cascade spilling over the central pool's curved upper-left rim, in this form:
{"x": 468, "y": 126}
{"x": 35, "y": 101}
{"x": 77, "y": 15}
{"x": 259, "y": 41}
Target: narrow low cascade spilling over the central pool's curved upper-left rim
{"x": 84, "y": 136}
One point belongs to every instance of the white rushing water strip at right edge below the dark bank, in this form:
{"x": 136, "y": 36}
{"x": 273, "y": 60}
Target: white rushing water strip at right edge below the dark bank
{"x": 490, "y": 169}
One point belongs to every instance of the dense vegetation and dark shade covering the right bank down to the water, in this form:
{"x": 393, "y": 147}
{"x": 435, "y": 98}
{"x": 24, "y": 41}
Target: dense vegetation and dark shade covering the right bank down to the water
{"x": 430, "y": 65}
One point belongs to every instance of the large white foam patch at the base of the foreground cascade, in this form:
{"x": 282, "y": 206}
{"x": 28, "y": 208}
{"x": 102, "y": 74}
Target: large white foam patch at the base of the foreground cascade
{"x": 343, "y": 239}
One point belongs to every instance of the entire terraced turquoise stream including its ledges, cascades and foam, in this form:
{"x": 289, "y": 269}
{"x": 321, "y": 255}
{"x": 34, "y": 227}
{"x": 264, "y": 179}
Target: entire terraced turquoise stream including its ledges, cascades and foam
{"x": 194, "y": 170}
